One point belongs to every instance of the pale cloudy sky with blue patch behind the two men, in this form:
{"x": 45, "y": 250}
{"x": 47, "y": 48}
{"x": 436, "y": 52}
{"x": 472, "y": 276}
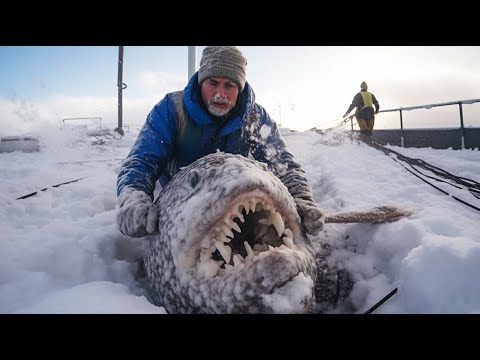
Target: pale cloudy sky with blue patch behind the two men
{"x": 301, "y": 87}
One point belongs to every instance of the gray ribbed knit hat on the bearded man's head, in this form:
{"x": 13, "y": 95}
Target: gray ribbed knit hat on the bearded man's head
{"x": 223, "y": 61}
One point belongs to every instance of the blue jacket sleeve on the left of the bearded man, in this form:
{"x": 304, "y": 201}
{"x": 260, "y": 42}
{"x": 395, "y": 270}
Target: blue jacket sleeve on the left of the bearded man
{"x": 151, "y": 151}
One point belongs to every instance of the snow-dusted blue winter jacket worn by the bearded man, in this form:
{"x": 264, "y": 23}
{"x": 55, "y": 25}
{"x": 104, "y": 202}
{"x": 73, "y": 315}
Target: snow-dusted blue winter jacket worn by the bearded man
{"x": 159, "y": 152}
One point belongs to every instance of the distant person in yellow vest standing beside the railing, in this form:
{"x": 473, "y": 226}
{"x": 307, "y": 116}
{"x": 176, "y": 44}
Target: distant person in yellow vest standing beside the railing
{"x": 365, "y": 114}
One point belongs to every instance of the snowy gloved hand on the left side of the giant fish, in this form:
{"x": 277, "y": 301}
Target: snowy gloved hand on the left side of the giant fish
{"x": 136, "y": 216}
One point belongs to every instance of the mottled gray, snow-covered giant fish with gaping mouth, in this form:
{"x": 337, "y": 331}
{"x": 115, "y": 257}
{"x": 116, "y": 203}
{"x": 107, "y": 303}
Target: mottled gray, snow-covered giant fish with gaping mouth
{"x": 191, "y": 211}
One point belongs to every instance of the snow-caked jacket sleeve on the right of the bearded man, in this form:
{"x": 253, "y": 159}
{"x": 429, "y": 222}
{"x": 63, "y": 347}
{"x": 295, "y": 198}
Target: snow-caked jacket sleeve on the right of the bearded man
{"x": 267, "y": 145}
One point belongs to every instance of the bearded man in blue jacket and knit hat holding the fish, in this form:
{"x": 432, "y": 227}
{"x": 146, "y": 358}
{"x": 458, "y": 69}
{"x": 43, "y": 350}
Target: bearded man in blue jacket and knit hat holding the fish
{"x": 215, "y": 111}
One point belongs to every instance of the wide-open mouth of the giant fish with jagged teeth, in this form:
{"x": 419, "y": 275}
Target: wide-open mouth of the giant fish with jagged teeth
{"x": 251, "y": 226}
